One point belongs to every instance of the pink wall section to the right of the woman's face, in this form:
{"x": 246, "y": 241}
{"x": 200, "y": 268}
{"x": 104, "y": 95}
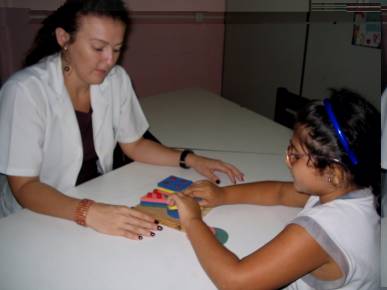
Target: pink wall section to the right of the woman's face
{"x": 175, "y": 54}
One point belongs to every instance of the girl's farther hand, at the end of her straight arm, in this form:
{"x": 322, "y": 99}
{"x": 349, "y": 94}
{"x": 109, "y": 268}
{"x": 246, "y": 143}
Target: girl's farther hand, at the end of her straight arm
{"x": 210, "y": 194}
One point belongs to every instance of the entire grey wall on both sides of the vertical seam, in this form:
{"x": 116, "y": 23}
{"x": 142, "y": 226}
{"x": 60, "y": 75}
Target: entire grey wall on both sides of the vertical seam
{"x": 264, "y": 51}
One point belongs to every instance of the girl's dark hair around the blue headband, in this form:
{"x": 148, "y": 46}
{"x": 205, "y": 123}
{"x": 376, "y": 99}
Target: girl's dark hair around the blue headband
{"x": 360, "y": 123}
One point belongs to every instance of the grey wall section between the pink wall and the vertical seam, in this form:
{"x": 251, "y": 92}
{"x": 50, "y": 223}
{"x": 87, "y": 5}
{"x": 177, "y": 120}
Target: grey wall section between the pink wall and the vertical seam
{"x": 262, "y": 52}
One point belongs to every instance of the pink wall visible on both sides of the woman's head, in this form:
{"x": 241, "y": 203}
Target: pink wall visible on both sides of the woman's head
{"x": 166, "y": 50}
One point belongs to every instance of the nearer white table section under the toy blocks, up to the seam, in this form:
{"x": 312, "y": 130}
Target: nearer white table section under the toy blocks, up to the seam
{"x": 41, "y": 252}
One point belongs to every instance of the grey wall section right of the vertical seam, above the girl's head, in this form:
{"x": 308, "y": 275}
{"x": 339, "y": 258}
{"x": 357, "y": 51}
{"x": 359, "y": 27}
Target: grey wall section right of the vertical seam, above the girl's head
{"x": 332, "y": 60}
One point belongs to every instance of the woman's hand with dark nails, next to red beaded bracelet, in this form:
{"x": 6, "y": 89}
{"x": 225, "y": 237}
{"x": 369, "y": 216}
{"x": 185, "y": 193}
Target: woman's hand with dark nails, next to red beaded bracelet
{"x": 121, "y": 221}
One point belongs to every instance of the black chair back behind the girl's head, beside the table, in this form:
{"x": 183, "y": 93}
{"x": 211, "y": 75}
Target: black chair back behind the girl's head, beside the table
{"x": 286, "y": 107}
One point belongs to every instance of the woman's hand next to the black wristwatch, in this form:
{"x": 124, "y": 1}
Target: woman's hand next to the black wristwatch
{"x": 207, "y": 167}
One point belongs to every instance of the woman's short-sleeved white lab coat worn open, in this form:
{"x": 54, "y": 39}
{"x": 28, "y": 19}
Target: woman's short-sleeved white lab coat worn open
{"x": 39, "y": 132}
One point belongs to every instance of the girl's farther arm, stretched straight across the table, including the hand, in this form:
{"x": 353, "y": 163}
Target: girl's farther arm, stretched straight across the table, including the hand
{"x": 260, "y": 193}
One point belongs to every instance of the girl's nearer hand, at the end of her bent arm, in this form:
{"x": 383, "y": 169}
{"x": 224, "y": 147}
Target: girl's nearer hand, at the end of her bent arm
{"x": 188, "y": 207}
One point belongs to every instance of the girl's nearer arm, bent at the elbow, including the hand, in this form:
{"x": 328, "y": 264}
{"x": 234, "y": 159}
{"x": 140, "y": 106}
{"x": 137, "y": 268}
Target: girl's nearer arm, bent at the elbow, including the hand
{"x": 289, "y": 256}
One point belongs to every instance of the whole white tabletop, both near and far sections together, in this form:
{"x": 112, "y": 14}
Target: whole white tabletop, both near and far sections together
{"x": 41, "y": 252}
